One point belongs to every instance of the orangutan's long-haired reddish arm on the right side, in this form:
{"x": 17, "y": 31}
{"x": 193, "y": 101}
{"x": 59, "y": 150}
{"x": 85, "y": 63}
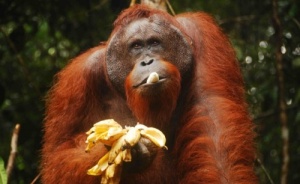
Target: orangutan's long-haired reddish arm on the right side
{"x": 216, "y": 134}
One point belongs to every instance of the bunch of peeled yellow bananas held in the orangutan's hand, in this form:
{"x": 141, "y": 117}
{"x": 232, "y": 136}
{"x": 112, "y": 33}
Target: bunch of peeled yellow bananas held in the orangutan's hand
{"x": 121, "y": 141}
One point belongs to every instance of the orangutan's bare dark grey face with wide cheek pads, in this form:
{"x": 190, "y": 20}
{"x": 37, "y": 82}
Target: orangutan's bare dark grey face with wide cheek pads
{"x": 141, "y": 47}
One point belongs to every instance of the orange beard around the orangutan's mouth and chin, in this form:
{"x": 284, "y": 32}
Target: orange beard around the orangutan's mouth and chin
{"x": 145, "y": 106}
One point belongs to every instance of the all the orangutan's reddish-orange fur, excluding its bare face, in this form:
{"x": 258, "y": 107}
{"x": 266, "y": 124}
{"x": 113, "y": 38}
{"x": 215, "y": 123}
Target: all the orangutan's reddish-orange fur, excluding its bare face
{"x": 209, "y": 132}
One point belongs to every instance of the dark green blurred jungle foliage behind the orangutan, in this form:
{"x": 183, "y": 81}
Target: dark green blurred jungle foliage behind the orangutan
{"x": 38, "y": 38}
